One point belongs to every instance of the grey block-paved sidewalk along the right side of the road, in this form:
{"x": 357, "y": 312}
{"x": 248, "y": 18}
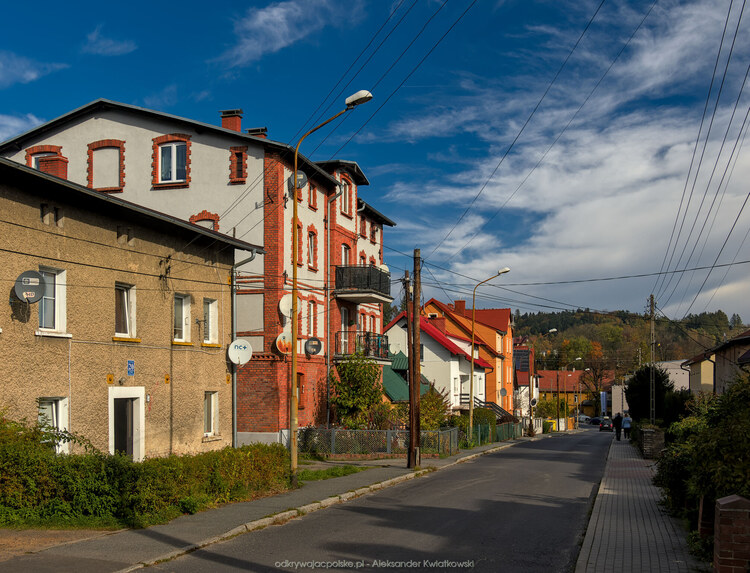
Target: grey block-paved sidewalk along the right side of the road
{"x": 628, "y": 529}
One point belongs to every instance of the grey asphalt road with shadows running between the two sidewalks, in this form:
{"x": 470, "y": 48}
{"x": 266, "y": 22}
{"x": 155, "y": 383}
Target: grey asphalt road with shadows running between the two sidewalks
{"x": 521, "y": 509}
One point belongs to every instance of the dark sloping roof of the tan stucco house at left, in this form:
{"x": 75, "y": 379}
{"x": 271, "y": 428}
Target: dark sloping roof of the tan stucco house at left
{"x": 35, "y": 181}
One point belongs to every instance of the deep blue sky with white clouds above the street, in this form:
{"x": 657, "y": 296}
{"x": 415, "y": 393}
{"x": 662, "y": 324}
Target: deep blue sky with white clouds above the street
{"x": 500, "y": 134}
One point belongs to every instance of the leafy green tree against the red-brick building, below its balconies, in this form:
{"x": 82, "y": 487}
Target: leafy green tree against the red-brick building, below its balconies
{"x": 357, "y": 390}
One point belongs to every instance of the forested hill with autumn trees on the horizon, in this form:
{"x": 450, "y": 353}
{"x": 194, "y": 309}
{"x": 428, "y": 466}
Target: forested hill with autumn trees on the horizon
{"x": 621, "y": 337}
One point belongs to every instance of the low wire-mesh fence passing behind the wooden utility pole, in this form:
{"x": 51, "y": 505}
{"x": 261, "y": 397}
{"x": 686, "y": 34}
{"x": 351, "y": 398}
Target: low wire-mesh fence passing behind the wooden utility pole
{"x": 338, "y": 441}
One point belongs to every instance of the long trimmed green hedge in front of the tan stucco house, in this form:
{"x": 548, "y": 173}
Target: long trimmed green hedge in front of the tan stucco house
{"x": 39, "y": 487}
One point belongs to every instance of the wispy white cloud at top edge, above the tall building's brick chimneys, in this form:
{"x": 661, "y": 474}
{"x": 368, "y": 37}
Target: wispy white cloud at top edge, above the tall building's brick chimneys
{"x": 279, "y": 25}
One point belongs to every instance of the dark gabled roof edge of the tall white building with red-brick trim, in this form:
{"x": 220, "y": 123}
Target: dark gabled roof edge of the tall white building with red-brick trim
{"x": 17, "y": 143}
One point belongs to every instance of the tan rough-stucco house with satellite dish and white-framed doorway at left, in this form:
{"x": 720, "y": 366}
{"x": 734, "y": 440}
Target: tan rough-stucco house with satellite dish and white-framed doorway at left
{"x": 126, "y": 344}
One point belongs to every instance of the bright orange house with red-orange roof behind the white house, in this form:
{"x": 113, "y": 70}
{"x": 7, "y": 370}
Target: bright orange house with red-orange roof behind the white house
{"x": 493, "y": 338}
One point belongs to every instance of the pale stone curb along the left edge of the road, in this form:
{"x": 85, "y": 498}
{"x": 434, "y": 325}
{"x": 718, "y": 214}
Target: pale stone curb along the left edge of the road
{"x": 283, "y": 517}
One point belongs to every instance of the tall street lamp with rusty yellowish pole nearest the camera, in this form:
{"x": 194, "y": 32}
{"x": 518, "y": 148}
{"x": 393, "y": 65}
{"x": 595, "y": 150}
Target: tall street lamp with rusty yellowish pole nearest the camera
{"x": 351, "y": 102}
